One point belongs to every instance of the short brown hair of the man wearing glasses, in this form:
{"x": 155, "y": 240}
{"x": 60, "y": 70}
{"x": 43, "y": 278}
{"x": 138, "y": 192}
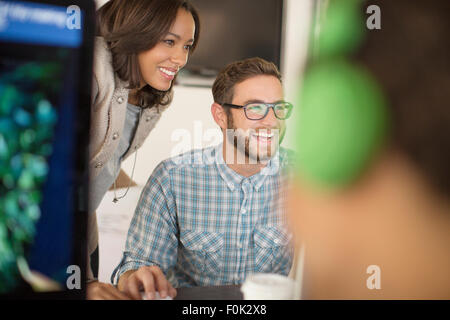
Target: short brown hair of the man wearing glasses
{"x": 237, "y": 72}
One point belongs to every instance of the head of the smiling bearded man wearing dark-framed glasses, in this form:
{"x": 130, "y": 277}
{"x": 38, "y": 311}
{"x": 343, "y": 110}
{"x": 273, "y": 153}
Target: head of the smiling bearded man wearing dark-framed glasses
{"x": 241, "y": 93}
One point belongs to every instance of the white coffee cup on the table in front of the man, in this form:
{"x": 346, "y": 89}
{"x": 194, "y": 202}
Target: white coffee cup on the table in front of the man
{"x": 268, "y": 286}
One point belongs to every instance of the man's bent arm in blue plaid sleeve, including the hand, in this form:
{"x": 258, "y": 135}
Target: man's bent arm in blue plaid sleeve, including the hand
{"x": 151, "y": 247}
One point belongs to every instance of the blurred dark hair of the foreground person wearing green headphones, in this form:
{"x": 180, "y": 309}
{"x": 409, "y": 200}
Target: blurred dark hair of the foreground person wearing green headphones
{"x": 409, "y": 56}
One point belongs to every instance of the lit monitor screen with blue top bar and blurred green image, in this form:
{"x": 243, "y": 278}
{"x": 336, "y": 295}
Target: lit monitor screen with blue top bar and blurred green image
{"x": 44, "y": 114}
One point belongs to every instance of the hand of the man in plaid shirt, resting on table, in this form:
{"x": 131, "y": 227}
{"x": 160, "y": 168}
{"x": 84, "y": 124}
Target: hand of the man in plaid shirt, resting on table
{"x": 148, "y": 279}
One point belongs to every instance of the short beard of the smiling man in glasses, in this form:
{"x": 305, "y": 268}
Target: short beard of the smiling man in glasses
{"x": 256, "y": 153}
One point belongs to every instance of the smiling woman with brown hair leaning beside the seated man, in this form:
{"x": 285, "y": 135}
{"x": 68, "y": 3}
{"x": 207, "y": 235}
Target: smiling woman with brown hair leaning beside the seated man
{"x": 140, "y": 49}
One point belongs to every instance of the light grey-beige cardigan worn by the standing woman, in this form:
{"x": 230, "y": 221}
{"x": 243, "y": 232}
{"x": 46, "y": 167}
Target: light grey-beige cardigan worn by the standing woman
{"x": 108, "y": 111}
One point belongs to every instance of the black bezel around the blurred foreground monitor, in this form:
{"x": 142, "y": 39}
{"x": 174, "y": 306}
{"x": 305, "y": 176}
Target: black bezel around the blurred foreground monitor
{"x": 82, "y": 129}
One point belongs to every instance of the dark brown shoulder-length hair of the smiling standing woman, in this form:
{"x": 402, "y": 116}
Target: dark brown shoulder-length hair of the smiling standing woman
{"x": 133, "y": 26}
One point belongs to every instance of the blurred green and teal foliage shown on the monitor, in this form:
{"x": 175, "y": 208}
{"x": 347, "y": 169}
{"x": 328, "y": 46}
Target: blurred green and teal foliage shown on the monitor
{"x": 27, "y": 121}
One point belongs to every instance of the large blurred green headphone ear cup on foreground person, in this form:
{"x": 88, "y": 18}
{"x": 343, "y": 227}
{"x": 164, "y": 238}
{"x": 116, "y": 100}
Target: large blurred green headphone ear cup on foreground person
{"x": 342, "y": 120}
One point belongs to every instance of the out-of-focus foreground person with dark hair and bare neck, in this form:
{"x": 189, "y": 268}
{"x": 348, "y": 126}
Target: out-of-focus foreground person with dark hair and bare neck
{"x": 395, "y": 212}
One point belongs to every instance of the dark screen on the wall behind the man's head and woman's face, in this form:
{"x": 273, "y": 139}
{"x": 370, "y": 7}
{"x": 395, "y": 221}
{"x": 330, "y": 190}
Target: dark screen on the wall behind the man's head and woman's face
{"x": 233, "y": 30}
